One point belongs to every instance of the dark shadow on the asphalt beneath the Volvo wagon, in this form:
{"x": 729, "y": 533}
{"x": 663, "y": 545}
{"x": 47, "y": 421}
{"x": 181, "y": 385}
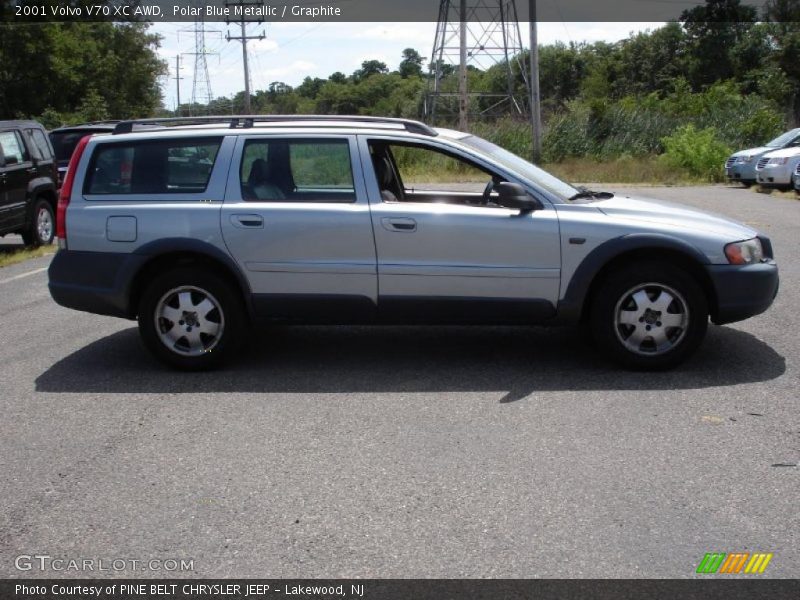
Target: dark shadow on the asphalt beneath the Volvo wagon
{"x": 516, "y": 361}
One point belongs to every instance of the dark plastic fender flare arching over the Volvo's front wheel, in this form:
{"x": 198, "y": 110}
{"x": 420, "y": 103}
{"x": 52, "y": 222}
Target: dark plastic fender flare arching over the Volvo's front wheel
{"x": 571, "y": 304}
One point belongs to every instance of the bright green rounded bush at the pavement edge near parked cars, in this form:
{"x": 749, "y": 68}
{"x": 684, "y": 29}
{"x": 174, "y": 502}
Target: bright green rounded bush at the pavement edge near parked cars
{"x": 699, "y": 151}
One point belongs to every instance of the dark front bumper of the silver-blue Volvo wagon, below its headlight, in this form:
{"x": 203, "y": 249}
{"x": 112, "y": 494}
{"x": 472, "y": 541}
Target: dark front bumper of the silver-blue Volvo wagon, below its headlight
{"x": 742, "y": 291}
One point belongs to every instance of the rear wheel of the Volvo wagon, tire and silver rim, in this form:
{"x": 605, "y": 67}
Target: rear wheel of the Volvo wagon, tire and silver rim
{"x": 191, "y": 318}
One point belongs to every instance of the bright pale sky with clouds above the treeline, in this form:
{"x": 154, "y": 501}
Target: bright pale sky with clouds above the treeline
{"x": 292, "y": 51}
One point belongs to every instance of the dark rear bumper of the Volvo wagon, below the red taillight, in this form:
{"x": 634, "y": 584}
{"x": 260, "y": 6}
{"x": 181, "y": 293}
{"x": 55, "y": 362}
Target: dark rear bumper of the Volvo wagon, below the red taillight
{"x": 95, "y": 282}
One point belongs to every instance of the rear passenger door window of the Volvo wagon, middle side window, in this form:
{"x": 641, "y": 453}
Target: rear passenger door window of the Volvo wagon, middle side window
{"x": 303, "y": 170}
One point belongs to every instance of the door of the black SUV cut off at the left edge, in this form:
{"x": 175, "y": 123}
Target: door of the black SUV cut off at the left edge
{"x": 18, "y": 171}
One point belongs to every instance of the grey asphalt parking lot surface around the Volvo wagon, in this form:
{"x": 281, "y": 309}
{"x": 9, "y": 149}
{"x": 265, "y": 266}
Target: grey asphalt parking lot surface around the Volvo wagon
{"x": 391, "y": 452}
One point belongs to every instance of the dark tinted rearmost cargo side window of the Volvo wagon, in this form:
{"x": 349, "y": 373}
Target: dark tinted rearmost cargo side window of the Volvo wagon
{"x": 158, "y": 167}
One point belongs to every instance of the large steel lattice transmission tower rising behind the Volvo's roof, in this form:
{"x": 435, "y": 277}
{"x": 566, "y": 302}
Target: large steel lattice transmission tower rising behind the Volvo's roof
{"x": 482, "y": 34}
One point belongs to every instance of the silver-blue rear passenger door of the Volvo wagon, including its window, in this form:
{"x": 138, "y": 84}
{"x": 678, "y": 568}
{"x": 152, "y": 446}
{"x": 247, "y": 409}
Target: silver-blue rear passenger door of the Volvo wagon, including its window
{"x": 296, "y": 219}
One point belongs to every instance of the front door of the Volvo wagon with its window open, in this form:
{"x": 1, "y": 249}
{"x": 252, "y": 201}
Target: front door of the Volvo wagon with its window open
{"x": 446, "y": 250}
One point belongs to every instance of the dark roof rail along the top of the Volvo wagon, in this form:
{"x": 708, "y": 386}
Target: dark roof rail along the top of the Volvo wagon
{"x": 247, "y": 121}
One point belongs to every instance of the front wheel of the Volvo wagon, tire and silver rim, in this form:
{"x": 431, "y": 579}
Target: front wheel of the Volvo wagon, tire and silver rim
{"x": 649, "y": 315}
